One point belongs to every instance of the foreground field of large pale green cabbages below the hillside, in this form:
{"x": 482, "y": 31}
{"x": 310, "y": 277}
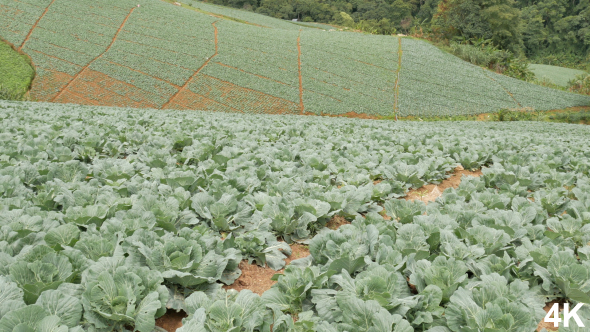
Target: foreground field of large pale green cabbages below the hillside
{"x": 111, "y": 216}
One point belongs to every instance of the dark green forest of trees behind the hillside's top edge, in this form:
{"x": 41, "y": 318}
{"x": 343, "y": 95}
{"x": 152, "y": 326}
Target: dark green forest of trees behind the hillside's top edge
{"x": 545, "y": 31}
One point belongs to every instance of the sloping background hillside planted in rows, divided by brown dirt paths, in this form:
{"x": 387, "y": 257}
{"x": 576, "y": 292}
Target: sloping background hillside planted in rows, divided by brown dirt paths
{"x": 159, "y": 55}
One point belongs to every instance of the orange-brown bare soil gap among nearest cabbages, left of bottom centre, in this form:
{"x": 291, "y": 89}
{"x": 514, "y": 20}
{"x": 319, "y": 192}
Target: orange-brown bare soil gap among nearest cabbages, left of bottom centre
{"x": 257, "y": 278}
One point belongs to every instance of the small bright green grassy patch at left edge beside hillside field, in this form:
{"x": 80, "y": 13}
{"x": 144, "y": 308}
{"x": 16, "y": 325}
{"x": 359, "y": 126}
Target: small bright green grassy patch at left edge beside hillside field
{"x": 16, "y": 73}
